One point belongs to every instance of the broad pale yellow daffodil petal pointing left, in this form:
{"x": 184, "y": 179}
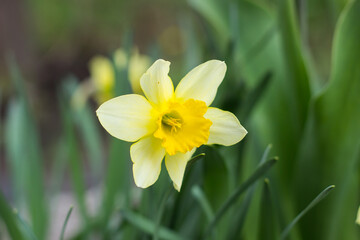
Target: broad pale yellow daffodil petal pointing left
{"x": 128, "y": 117}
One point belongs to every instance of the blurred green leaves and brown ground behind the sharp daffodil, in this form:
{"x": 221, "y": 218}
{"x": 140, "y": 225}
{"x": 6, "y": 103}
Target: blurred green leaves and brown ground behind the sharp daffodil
{"x": 293, "y": 80}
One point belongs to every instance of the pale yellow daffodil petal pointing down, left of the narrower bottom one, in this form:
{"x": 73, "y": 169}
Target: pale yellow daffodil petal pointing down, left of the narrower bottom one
{"x": 146, "y": 155}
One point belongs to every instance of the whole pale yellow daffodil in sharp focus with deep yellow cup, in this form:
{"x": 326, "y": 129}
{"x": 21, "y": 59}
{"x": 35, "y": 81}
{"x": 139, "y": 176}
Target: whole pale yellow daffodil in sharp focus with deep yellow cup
{"x": 168, "y": 123}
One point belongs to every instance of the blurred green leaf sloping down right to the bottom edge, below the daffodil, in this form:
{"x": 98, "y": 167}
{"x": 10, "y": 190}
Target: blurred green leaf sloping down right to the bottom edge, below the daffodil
{"x": 148, "y": 226}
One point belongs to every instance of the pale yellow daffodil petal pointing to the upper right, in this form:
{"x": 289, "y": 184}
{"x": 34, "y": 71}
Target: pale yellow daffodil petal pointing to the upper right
{"x": 202, "y": 82}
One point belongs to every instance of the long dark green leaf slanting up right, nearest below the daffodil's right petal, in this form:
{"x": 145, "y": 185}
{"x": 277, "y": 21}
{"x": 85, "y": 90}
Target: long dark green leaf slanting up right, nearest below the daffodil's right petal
{"x": 259, "y": 172}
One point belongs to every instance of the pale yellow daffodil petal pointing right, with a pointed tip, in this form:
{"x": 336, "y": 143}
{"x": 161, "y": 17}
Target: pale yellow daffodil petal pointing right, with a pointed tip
{"x": 226, "y": 128}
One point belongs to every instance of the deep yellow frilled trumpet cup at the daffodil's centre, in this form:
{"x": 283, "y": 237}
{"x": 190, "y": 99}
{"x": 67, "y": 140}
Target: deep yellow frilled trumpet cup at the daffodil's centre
{"x": 182, "y": 126}
